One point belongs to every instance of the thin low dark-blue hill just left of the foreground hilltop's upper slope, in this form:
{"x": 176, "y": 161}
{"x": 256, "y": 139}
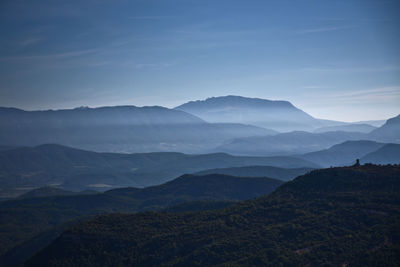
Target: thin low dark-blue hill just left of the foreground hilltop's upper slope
{"x": 259, "y": 171}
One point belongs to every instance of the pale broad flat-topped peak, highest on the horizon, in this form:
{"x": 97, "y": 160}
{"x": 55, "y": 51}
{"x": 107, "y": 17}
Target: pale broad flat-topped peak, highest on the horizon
{"x": 278, "y": 115}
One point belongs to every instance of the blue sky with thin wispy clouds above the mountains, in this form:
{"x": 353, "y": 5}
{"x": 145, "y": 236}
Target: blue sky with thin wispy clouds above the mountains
{"x": 335, "y": 59}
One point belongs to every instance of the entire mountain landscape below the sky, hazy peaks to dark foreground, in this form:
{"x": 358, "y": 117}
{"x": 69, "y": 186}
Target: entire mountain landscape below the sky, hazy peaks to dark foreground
{"x": 99, "y": 186}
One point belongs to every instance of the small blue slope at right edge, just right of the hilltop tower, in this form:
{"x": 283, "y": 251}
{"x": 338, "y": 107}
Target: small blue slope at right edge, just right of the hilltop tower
{"x": 388, "y": 154}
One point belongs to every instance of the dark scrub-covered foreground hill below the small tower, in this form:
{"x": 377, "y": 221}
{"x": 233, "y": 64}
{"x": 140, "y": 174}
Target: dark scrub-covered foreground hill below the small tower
{"x": 335, "y": 217}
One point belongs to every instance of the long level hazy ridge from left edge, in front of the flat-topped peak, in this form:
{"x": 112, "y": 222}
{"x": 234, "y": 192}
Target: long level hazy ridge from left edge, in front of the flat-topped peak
{"x": 120, "y": 128}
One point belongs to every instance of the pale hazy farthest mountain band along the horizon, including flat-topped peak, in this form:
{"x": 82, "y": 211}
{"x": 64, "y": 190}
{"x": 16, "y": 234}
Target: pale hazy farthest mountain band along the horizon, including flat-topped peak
{"x": 233, "y": 124}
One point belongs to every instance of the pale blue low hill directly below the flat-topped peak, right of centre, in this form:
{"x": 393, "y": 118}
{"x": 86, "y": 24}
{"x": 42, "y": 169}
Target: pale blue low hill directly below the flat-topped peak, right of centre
{"x": 287, "y": 143}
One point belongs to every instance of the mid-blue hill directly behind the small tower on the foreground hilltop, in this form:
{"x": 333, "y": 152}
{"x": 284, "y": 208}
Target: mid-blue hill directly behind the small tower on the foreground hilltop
{"x": 344, "y": 153}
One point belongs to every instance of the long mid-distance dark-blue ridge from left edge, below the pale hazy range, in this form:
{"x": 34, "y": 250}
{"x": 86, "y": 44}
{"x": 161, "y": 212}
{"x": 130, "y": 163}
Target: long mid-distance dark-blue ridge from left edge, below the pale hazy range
{"x": 72, "y": 169}
